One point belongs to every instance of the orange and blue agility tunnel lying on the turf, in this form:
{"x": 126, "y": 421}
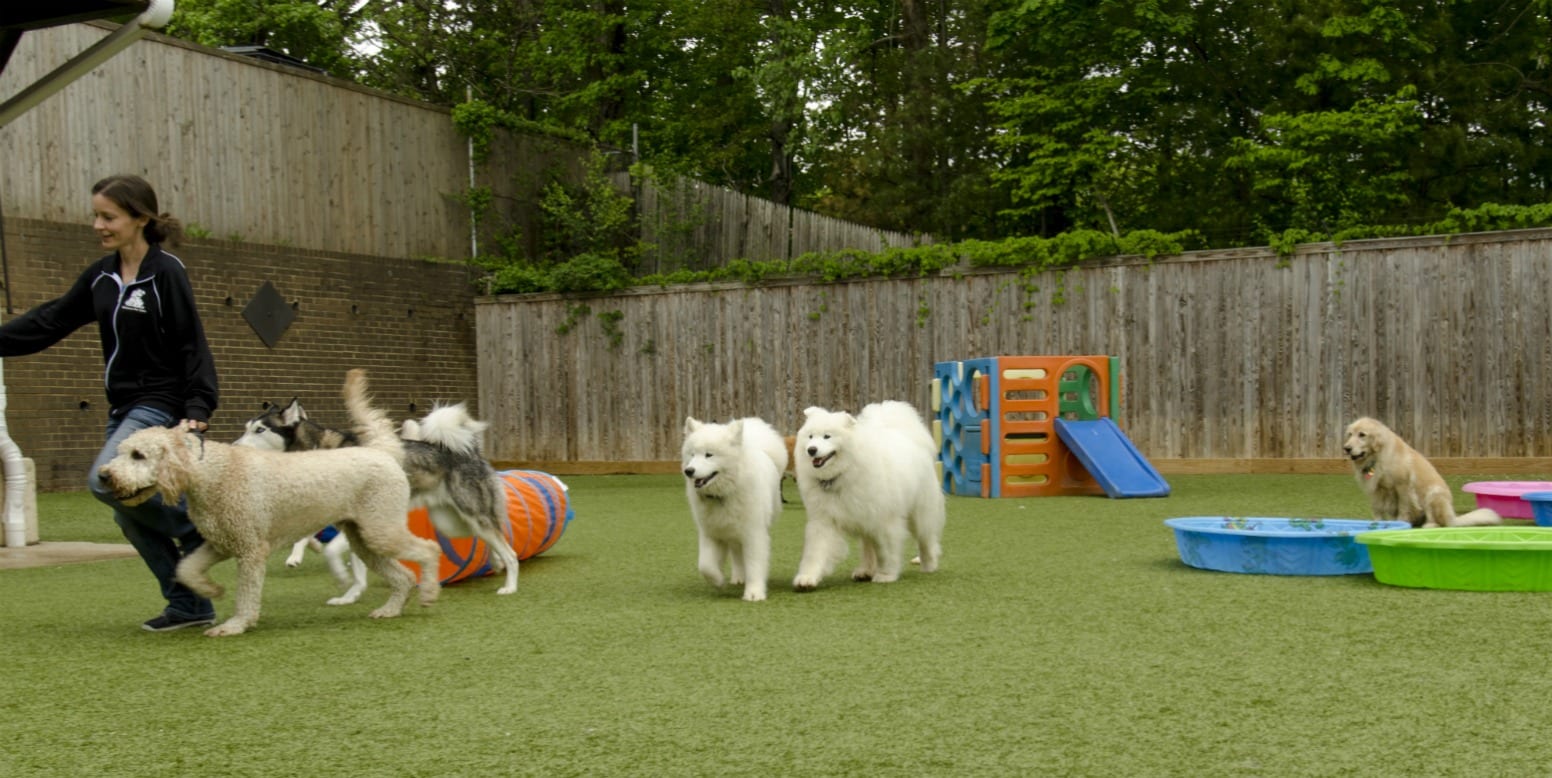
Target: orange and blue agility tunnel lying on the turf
{"x": 538, "y": 513}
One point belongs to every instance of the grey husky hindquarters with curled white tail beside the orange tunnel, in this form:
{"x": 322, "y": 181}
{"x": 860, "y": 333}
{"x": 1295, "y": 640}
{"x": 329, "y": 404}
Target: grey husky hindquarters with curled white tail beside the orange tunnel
{"x": 456, "y": 485}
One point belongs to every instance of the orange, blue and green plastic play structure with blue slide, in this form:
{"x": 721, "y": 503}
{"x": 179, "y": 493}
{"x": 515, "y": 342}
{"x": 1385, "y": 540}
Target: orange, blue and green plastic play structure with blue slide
{"x": 1036, "y": 426}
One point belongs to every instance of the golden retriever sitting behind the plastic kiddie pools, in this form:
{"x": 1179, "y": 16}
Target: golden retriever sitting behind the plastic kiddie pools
{"x": 1402, "y": 484}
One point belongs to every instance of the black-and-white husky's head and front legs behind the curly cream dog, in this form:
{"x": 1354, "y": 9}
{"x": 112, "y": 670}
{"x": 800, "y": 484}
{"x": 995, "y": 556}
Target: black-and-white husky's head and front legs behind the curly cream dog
{"x": 288, "y": 429}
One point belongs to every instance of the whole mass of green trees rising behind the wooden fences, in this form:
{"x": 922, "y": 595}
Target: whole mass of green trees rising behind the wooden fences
{"x": 1239, "y": 122}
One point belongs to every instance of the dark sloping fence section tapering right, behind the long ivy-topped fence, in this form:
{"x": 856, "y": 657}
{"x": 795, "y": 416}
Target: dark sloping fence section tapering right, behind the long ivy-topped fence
{"x": 698, "y": 226}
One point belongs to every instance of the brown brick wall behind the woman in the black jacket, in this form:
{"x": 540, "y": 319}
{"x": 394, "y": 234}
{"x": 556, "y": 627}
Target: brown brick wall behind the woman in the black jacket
{"x": 409, "y": 322}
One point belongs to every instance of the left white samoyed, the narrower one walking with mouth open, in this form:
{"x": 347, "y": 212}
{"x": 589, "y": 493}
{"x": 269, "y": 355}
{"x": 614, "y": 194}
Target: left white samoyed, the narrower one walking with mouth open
{"x": 733, "y": 482}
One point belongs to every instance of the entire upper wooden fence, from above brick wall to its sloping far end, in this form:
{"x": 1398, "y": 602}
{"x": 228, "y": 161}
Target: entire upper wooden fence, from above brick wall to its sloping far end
{"x": 258, "y": 153}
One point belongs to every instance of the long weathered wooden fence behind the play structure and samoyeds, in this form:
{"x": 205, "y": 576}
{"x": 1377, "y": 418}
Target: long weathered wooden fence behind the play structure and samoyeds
{"x": 1230, "y": 359}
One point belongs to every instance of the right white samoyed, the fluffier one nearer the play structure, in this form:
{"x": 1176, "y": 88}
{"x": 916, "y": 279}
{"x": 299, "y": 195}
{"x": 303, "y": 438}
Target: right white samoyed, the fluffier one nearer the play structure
{"x": 870, "y": 478}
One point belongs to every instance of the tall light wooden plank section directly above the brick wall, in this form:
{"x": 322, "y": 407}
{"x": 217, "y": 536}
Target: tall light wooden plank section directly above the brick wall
{"x": 238, "y": 148}
